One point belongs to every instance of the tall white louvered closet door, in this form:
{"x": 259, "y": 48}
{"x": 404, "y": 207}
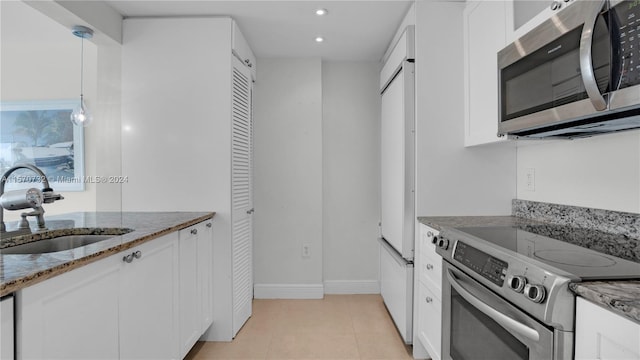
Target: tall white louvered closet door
{"x": 242, "y": 199}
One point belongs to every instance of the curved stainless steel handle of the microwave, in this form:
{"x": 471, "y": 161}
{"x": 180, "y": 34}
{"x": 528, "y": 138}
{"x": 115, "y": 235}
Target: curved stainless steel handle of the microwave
{"x": 586, "y": 58}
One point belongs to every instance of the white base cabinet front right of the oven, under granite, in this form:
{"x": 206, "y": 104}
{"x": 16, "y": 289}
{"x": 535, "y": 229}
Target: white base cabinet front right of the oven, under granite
{"x": 602, "y": 334}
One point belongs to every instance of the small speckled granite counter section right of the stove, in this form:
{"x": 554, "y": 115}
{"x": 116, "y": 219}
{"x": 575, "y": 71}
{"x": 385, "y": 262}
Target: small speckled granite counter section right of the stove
{"x": 621, "y": 297}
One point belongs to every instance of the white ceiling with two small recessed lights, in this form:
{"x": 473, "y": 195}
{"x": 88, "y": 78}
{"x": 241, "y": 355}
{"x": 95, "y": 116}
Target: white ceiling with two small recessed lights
{"x": 357, "y": 30}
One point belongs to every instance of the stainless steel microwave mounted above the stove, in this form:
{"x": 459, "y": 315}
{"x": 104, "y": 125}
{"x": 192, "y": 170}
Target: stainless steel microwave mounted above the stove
{"x": 575, "y": 75}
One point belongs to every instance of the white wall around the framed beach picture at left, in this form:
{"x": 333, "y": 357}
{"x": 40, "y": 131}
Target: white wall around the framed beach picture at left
{"x": 41, "y": 61}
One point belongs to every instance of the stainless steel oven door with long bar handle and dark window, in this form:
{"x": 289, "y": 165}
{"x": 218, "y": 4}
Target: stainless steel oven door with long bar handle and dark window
{"x": 478, "y": 324}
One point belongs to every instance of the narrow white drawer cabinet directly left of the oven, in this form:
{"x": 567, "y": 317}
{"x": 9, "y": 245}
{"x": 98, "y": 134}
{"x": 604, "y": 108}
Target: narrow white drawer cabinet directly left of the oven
{"x": 428, "y": 287}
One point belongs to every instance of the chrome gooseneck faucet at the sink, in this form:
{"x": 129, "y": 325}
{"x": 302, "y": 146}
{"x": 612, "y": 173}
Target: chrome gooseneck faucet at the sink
{"x": 34, "y": 198}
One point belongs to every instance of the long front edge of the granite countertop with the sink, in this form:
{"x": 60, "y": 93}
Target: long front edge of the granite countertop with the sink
{"x": 37, "y": 277}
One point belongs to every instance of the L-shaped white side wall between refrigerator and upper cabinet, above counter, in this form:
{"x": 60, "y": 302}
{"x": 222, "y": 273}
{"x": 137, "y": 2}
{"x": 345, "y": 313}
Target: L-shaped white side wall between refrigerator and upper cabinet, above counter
{"x": 452, "y": 179}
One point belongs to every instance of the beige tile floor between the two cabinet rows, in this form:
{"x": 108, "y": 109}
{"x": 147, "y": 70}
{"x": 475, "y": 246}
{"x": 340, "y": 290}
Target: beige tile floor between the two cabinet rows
{"x": 336, "y": 327}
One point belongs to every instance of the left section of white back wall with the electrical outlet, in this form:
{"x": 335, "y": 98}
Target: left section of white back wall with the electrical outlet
{"x": 288, "y": 178}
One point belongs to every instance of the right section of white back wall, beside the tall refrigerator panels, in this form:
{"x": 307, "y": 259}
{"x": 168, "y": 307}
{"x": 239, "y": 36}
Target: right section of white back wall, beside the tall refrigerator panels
{"x": 351, "y": 176}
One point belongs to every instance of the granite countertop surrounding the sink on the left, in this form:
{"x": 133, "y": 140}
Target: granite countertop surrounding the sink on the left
{"x": 20, "y": 271}
